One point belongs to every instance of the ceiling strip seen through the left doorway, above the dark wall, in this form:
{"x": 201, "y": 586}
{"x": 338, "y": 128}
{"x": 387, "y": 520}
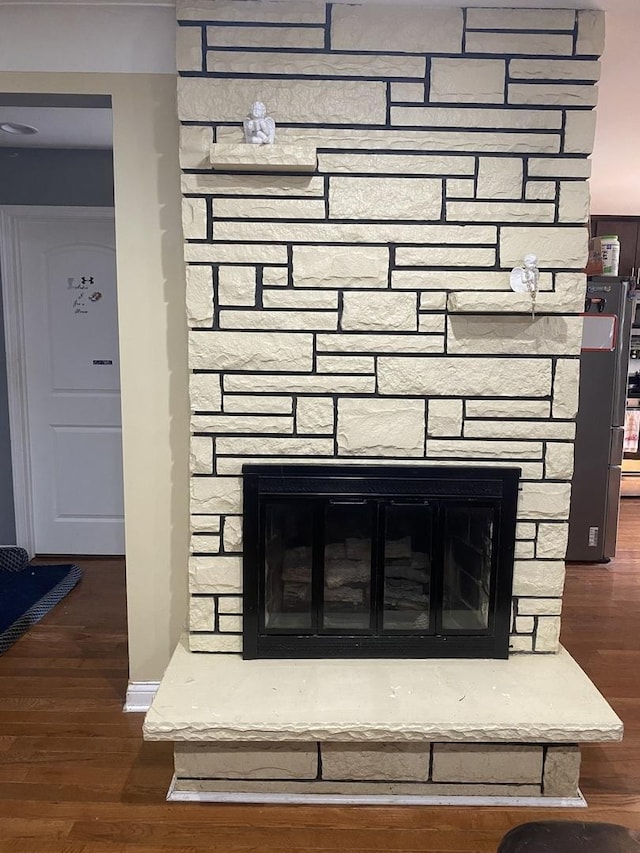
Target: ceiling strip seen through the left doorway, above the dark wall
{"x": 58, "y": 127}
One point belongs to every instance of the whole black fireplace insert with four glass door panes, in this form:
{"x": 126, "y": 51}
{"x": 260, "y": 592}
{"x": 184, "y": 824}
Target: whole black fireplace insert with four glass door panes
{"x": 345, "y": 561}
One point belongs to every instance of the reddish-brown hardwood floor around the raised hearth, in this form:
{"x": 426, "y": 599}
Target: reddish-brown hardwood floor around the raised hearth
{"x": 76, "y": 777}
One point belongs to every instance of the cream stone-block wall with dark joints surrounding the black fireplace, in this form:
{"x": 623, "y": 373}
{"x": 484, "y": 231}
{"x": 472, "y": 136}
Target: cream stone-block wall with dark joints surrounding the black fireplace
{"x": 362, "y": 312}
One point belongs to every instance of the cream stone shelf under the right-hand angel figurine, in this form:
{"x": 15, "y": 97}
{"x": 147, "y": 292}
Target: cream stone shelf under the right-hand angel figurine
{"x": 508, "y": 302}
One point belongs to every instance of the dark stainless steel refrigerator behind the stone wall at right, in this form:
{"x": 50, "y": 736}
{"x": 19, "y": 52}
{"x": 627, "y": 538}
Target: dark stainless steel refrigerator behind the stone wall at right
{"x": 604, "y": 361}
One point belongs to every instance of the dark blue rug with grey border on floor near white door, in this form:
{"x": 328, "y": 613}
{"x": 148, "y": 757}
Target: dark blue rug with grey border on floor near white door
{"x": 28, "y": 595}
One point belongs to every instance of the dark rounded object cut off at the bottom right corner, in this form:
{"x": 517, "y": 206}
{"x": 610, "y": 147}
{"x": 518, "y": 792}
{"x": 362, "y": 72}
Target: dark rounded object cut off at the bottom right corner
{"x": 560, "y": 836}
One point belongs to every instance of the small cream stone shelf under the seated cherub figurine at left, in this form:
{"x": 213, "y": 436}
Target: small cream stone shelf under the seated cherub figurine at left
{"x": 264, "y": 158}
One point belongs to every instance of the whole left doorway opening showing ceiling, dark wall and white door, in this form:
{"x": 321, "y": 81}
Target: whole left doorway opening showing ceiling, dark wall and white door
{"x": 60, "y": 422}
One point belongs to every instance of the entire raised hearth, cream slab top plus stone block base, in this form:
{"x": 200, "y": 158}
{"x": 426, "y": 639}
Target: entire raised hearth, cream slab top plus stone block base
{"x": 378, "y": 729}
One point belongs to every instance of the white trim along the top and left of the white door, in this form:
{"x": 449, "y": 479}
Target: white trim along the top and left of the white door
{"x": 11, "y": 216}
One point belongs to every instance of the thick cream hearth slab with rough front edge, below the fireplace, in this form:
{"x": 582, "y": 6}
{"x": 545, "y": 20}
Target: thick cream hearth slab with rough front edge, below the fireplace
{"x": 528, "y": 698}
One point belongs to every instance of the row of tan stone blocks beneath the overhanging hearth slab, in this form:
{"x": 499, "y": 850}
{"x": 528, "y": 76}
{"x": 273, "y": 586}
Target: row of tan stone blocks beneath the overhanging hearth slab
{"x": 404, "y": 769}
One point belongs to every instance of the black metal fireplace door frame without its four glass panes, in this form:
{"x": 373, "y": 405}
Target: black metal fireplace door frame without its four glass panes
{"x": 440, "y": 489}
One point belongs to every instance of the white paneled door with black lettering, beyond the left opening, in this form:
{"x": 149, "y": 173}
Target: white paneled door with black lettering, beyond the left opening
{"x": 64, "y": 276}
